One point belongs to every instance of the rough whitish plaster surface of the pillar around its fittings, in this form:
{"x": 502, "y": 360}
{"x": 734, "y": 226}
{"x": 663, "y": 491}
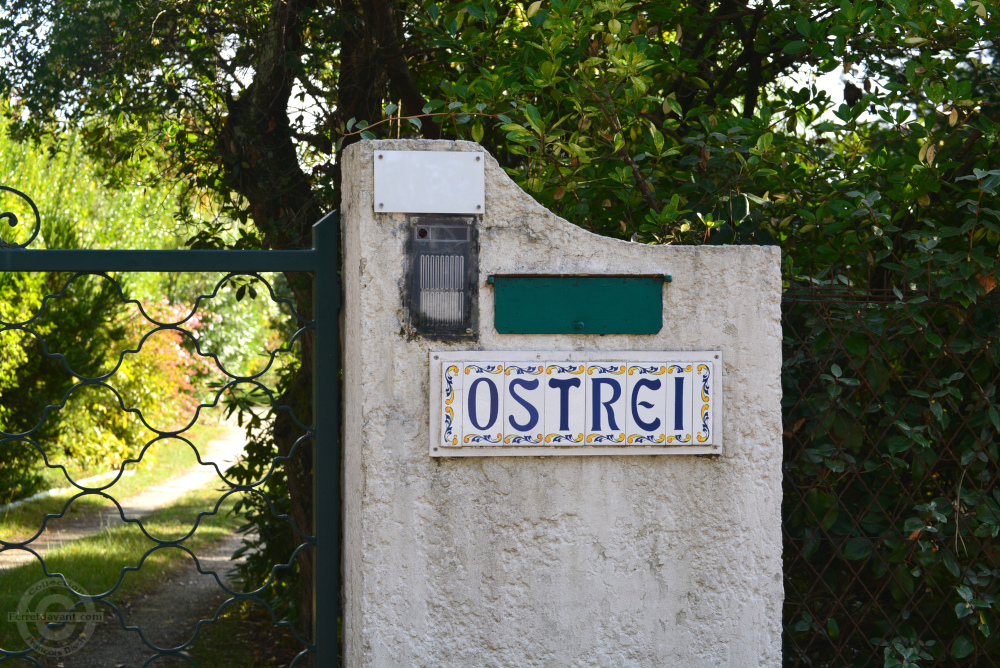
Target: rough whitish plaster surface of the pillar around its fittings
{"x": 561, "y": 561}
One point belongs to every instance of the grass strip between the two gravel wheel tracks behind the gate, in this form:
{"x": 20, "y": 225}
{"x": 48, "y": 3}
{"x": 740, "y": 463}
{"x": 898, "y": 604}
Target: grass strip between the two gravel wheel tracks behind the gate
{"x": 96, "y": 563}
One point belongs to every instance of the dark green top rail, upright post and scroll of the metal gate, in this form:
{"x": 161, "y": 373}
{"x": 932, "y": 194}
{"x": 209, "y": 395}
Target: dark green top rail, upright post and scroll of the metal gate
{"x": 322, "y": 261}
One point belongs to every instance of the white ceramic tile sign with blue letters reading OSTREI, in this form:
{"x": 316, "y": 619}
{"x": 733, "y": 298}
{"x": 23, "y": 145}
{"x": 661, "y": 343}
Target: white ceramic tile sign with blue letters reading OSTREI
{"x": 575, "y": 403}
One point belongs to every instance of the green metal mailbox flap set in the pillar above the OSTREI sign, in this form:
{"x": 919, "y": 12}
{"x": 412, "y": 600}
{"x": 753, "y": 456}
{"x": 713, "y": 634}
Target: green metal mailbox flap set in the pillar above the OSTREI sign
{"x": 578, "y": 304}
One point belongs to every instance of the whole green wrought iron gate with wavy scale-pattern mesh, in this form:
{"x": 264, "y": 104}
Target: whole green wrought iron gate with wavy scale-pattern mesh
{"x": 322, "y": 262}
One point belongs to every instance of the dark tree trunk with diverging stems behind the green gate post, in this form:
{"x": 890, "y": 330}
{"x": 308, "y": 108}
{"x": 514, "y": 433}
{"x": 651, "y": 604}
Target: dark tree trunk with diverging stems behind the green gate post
{"x": 258, "y": 150}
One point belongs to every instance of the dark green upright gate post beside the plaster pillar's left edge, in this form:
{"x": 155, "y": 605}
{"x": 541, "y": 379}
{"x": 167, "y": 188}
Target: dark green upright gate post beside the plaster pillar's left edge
{"x": 326, "y": 457}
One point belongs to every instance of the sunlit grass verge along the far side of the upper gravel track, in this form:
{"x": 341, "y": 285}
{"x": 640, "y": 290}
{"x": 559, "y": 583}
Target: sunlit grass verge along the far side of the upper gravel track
{"x": 168, "y": 459}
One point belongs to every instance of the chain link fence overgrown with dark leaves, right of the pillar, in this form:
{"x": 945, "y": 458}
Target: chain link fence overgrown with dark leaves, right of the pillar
{"x": 891, "y": 497}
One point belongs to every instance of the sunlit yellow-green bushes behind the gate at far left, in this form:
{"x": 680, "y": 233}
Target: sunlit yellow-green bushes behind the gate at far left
{"x": 89, "y": 325}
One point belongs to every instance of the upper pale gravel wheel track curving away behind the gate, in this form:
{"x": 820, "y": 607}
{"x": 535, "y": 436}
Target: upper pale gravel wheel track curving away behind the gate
{"x": 222, "y": 452}
